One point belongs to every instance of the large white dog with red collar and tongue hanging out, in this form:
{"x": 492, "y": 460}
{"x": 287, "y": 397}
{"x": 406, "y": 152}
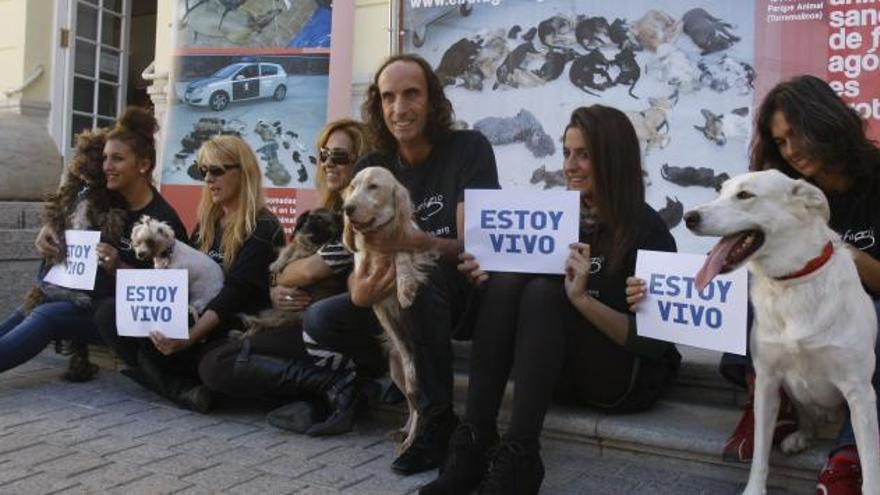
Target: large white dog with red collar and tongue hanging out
{"x": 815, "y": 326}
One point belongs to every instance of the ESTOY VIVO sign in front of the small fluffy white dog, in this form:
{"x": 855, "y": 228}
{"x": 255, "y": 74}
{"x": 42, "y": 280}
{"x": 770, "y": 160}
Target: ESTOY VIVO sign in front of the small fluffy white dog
{"x": 148, "y": 300}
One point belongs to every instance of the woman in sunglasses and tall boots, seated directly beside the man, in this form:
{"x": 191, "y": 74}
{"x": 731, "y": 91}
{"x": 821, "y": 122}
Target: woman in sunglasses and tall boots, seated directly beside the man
{"x": 274, "y": 363}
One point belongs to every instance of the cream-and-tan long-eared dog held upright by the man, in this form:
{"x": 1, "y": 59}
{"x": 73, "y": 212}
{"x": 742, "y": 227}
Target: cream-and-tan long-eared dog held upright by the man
{"x": 378, "y": 205}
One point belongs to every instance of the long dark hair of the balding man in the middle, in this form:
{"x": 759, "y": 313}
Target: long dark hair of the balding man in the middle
{"x": 440, "y": 113}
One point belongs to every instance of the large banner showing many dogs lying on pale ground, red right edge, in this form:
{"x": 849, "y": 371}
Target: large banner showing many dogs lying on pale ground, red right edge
{"x": 687, "y": 72}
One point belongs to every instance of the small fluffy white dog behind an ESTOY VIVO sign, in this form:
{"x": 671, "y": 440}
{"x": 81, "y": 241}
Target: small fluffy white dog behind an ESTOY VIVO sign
{"x": 153, "y": 239}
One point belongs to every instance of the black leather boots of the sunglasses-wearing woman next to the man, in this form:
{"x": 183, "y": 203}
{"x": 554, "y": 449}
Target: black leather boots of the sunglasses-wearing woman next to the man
{"x": 341, "y": 390}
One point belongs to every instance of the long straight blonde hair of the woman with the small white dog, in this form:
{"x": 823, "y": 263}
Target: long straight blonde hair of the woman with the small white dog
{"x": 229, "y": 150}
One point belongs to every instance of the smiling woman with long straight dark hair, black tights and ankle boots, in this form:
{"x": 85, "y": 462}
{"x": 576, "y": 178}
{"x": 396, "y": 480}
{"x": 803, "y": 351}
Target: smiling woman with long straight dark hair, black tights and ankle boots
{"x": 572, "y": 339}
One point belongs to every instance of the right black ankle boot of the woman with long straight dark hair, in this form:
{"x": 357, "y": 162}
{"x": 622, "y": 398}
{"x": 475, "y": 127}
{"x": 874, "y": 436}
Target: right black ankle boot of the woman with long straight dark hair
{"x": 515, "y": 468}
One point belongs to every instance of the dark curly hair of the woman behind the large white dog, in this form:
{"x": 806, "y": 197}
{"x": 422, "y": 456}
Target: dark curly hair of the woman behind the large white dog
{"x": 822, "y": 124}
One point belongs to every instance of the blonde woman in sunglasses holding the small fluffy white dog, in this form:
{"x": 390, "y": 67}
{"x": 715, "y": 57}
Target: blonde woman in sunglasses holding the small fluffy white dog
{"x": 239, "y": 233}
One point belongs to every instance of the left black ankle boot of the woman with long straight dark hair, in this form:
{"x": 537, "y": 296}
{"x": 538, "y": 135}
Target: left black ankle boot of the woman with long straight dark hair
{"x": 466, "y": 462}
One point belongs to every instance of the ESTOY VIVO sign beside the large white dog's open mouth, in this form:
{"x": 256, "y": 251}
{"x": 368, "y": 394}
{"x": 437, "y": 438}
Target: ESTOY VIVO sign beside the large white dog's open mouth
{"x": 674, "y": 311}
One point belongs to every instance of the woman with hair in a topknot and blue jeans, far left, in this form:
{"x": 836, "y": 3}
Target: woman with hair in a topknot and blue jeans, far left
{"x": 128, "y": 161}
